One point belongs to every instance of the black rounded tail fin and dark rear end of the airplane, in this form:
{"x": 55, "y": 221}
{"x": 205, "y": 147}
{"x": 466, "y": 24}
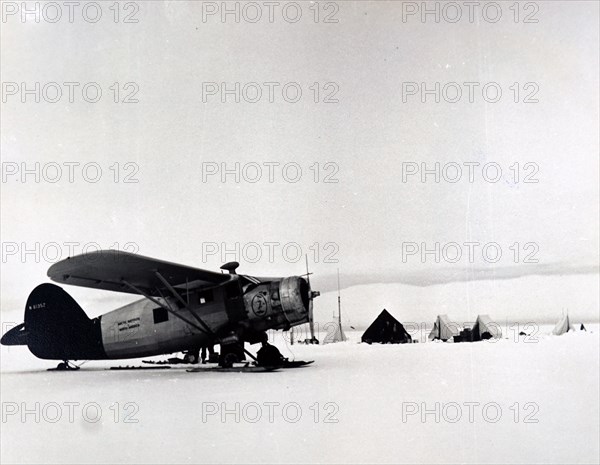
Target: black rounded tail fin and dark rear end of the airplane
{"x": 58, "y": 328}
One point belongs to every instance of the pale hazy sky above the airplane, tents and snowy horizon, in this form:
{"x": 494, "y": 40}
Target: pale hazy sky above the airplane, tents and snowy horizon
{"x": 357, "y": 135}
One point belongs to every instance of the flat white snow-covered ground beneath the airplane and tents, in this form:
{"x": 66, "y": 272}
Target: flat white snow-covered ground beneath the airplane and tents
{"x": 507, "y": 401}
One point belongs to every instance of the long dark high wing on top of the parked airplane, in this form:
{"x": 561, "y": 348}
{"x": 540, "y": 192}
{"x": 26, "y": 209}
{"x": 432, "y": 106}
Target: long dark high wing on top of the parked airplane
{"x": 113, "y": 270}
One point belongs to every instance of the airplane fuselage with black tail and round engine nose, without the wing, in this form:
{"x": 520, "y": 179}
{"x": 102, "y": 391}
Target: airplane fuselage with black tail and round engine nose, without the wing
{"x": 233, "y": 312}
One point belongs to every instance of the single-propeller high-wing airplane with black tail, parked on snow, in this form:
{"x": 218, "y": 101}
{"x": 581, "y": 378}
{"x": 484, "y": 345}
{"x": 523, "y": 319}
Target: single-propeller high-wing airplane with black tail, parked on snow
{"x": 182, "y": 310}
